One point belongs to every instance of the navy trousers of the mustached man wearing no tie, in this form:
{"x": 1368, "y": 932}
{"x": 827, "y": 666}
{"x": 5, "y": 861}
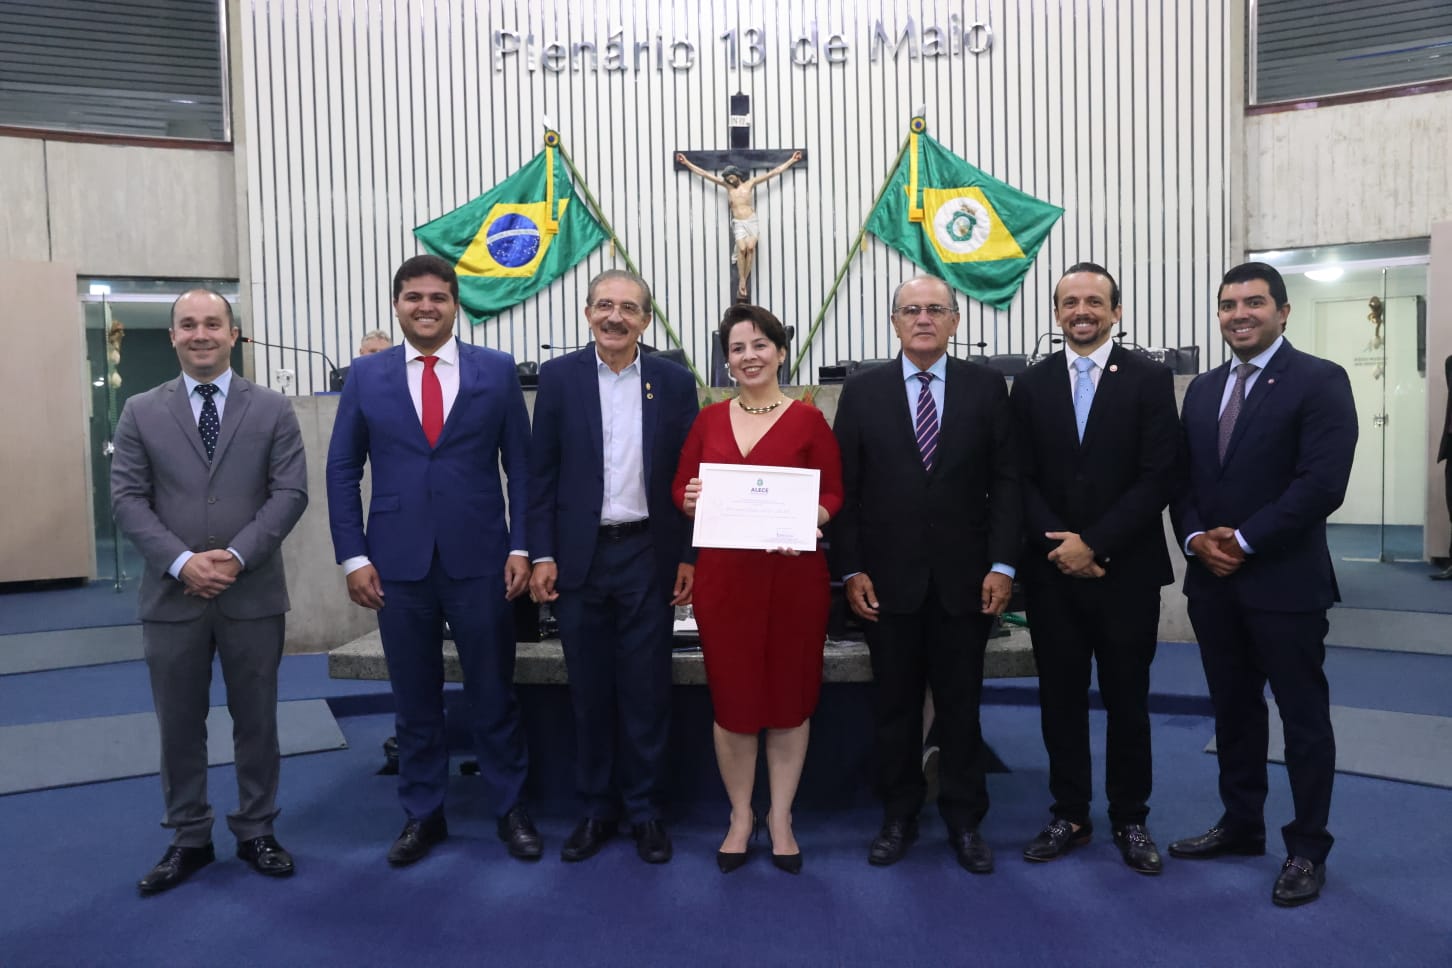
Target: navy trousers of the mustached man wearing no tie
{"x": 616, "y": 635}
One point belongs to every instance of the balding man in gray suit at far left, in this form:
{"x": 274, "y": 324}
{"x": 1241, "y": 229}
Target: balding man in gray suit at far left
{"x": 207, "y": 481}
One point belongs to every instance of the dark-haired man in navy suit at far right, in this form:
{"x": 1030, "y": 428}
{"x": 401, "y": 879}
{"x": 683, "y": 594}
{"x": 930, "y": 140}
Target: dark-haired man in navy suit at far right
{"x": 1271, "y": 442}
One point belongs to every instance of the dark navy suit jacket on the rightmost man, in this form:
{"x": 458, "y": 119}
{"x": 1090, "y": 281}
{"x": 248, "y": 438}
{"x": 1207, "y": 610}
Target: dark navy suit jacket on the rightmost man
{"x": 1286, "y": 471}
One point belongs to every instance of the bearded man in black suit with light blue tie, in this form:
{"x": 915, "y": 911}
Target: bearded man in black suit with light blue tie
{"x": 1100, "y": 438}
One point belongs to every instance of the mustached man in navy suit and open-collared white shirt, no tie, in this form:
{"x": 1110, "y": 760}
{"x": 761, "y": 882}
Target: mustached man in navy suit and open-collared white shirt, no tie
{"x": 612, "y": 555}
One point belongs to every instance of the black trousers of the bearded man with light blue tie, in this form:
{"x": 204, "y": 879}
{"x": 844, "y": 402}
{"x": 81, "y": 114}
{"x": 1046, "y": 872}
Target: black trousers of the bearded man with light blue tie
{"x": 1075, "y": 623}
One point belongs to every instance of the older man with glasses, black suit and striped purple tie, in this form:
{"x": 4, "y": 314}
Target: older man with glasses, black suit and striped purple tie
{"x": 927, "y": 544}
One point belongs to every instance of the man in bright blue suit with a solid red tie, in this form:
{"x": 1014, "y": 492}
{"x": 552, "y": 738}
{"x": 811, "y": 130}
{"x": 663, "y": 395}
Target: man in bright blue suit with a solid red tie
{"x": 436, "y": 419}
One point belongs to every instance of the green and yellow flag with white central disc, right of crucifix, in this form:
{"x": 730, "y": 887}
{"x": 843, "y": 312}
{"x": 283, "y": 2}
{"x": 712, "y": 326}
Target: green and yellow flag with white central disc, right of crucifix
{"x": 976, "y": 233}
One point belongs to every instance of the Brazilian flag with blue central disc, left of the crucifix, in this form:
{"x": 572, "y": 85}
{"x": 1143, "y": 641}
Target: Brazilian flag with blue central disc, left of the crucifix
{"x": 516, "y": 239}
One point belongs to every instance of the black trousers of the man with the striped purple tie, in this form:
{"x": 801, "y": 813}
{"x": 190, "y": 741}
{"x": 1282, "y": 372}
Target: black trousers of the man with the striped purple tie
{"x": 911, "y": 652}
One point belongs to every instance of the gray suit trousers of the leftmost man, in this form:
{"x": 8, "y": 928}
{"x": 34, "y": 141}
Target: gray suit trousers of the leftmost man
{"x": 179, "y": 658}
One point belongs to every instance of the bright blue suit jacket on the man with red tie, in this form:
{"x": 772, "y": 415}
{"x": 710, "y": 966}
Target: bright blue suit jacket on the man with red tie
{"x": 445, "y": 497}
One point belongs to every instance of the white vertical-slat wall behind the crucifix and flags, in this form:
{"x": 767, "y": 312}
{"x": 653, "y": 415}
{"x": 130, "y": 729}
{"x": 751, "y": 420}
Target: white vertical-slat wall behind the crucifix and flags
{"x": 367, "y": 118}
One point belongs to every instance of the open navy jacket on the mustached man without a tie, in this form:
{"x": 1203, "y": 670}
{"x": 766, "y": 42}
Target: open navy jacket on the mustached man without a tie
{"x": 567, "y": 462}
